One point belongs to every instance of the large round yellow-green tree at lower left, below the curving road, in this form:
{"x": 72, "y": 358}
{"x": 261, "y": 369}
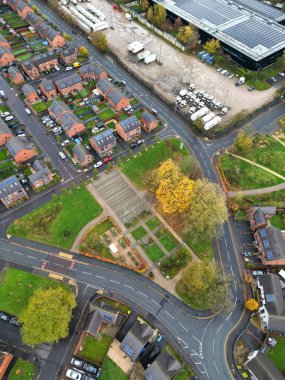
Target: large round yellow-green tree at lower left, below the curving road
{"x": 47, "y": 316}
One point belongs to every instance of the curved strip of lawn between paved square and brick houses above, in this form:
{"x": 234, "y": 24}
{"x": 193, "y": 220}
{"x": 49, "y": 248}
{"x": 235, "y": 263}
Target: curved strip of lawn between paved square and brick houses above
{"x": 137, "y": 167}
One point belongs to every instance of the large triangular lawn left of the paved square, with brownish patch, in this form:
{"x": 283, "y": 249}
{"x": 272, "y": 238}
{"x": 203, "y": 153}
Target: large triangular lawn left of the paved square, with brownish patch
{"x": 59, "y": 221}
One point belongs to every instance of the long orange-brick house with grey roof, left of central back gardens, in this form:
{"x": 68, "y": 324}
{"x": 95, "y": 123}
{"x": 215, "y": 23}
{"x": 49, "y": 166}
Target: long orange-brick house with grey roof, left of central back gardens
{"x": 70, "y": 123}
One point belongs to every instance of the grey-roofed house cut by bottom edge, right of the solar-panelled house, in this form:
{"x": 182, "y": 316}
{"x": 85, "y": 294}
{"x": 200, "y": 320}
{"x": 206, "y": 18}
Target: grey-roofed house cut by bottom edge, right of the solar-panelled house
{"x": 165, "y": 367}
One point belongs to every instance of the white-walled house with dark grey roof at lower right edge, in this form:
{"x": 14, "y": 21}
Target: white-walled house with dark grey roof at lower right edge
{"x": 272, "y": 309}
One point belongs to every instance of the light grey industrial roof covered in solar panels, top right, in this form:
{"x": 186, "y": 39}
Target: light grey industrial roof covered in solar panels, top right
{"x": 239, "y": 27}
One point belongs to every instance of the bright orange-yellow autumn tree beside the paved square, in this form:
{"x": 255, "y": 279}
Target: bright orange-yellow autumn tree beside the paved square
{"x": 174, "y": 188}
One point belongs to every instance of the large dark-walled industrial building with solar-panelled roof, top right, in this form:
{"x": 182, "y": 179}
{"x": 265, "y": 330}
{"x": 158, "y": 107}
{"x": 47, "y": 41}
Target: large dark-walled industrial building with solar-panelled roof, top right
{"x": 249, "y": 30}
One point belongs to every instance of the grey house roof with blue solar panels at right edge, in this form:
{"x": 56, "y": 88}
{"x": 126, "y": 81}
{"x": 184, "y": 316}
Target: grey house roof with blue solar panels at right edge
{"x": 272, "y": 242}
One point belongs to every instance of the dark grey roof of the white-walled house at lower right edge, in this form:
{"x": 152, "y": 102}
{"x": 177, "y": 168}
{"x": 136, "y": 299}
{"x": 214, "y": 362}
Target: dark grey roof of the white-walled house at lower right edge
{"x": 274, "y": 301}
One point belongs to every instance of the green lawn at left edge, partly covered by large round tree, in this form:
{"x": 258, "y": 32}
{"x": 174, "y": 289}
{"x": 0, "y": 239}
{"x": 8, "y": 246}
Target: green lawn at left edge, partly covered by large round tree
{"x": 16, "y": 287}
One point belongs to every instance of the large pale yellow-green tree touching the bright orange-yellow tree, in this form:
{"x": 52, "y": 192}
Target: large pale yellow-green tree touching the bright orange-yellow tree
{"x": 207, "y": 213}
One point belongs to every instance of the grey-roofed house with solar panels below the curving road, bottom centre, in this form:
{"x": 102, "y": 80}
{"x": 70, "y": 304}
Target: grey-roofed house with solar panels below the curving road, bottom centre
{"x": 136, "y": 339}
